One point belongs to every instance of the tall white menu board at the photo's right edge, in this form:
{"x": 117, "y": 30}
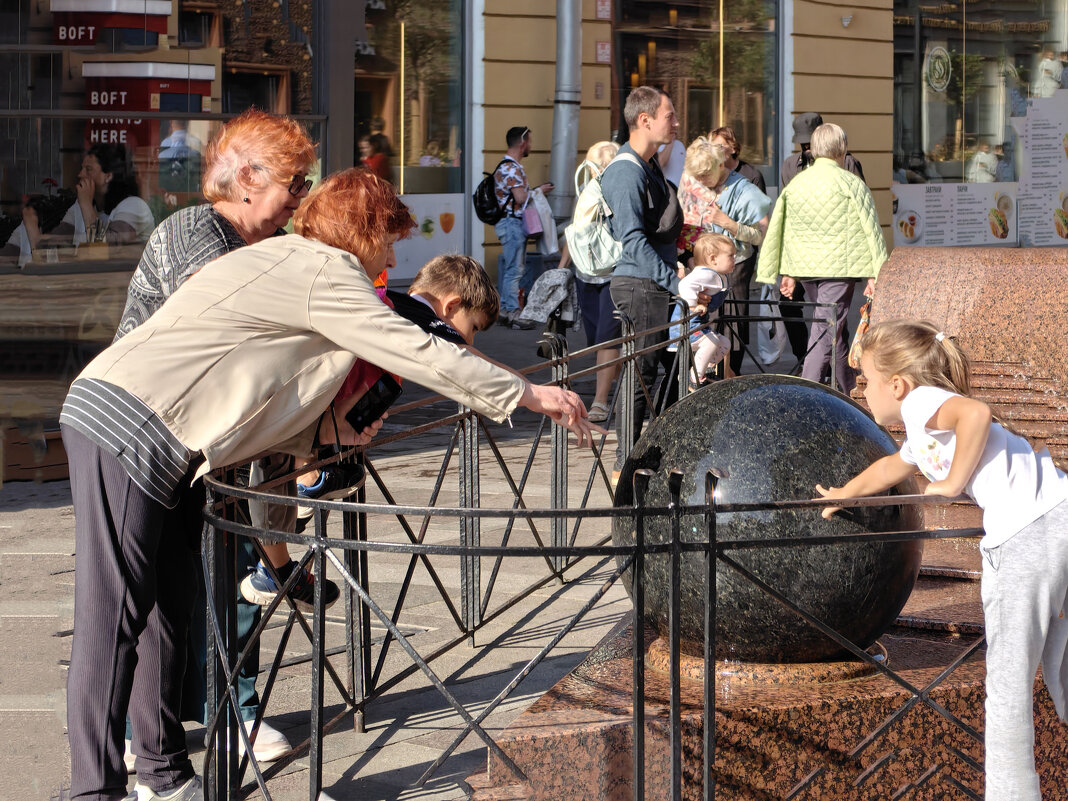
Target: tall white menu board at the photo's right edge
{"x": 1044, "y": 189}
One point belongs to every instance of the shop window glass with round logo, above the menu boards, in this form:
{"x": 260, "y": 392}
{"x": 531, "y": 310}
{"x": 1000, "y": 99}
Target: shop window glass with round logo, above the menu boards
{"x": 963, "y": 72}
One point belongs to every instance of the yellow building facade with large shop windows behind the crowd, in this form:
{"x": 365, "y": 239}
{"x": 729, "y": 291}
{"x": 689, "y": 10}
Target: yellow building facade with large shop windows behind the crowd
{"x": 932, "y": 95}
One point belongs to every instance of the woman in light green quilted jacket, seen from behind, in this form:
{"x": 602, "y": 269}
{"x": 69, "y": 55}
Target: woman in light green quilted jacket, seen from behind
{"x": 825, "y": 234}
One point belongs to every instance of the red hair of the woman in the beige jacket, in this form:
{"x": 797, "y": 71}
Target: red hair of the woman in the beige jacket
{"x": 355, "y": 211}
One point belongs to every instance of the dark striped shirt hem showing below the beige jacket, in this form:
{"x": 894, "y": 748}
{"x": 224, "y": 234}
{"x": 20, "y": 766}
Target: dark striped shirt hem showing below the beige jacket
{"x": 123, "y": 427}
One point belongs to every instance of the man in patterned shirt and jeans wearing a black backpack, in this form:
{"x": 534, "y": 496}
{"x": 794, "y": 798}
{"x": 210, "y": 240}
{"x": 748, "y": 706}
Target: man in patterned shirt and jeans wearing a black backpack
{"x": 512, "y": 193}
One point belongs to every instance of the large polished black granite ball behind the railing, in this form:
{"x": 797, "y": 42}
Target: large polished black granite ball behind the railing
{"x": 775, "y": 438}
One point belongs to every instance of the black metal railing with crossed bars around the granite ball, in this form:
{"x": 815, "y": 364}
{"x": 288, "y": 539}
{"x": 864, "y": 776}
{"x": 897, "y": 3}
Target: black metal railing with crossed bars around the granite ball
{"x": 576, "y": 533}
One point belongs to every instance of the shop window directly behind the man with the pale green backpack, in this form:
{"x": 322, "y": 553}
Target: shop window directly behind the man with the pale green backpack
{"x": 677, "y": 49}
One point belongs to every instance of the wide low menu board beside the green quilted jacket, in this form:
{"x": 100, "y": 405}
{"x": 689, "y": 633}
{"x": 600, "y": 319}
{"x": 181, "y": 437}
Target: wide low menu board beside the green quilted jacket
{"x": 955, "y": 214}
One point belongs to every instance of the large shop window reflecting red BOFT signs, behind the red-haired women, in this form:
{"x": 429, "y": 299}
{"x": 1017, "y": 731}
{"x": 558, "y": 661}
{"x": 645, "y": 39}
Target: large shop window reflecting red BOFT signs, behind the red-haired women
{"x": 99, "y": 149}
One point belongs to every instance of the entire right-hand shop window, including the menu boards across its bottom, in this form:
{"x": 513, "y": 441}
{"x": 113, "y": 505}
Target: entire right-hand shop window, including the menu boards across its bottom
{"x": 978, "y": 91}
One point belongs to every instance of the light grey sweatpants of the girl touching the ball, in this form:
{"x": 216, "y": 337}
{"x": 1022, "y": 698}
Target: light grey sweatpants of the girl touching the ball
{"x": 1026, "y": 608}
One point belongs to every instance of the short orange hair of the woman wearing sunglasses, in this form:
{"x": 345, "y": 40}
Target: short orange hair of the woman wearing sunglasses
{"x": 276, "y": 145}
